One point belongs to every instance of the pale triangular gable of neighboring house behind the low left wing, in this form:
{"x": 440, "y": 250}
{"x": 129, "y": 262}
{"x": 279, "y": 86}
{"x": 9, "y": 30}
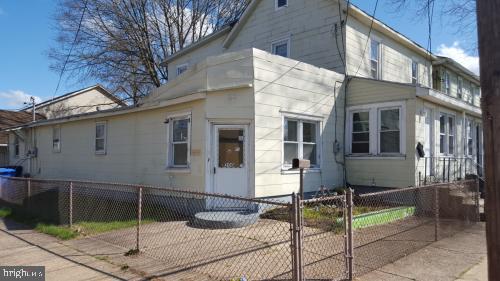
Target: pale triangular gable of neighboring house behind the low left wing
{"x": 85, "y": 100}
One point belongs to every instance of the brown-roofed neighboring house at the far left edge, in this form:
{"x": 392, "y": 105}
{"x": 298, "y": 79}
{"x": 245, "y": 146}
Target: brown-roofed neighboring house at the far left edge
{"x": 10, "y": 119}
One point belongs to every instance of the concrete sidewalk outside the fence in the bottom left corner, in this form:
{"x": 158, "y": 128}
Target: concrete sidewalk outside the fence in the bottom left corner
{"x": 23, "y": 247}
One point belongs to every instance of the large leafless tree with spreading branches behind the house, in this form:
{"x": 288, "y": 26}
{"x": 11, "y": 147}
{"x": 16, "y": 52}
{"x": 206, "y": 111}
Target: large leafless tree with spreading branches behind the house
{"x": 122, "y": 42}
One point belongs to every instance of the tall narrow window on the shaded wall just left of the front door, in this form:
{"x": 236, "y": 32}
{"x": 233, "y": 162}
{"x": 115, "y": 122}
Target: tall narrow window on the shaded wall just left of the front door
{"x": 179, "y": 148}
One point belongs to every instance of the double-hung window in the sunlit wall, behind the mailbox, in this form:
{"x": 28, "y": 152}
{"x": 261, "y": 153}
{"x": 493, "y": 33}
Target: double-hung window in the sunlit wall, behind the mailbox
{"x": 300, "y": 141}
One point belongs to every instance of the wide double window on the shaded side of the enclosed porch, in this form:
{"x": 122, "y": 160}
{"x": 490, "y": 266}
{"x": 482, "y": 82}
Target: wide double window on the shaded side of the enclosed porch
{"x": 376, "y": 129}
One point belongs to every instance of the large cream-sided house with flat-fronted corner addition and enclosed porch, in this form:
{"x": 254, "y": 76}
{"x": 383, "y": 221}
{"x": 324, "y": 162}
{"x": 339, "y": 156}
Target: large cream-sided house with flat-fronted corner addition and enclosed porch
{"x": 275, "y": 86}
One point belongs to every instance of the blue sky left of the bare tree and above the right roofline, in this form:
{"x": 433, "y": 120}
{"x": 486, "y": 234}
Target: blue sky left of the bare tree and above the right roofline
{"x": 26, "y": 34}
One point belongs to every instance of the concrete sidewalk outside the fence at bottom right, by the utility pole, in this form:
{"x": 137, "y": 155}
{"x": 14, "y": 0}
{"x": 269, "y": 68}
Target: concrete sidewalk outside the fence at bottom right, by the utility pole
{"x": 459, "y": 257}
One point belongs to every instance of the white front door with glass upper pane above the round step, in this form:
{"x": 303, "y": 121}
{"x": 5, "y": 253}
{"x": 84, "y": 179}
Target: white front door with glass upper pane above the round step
{"x": 230, "y": 165}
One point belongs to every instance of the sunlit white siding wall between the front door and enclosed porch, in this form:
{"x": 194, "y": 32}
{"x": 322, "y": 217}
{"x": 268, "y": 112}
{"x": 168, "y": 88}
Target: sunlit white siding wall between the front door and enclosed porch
{"x": 285, "y": 87}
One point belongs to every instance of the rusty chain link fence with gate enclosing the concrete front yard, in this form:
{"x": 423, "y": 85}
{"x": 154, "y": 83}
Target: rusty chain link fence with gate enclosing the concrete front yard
{"x": 229, "y": 238}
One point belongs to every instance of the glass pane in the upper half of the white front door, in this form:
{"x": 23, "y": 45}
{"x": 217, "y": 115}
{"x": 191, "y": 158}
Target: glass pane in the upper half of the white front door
{"x": 231, "y": 148}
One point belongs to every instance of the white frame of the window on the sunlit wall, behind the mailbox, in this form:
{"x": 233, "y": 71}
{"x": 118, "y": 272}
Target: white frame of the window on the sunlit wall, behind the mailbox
{"x": 300, "y": 138}
